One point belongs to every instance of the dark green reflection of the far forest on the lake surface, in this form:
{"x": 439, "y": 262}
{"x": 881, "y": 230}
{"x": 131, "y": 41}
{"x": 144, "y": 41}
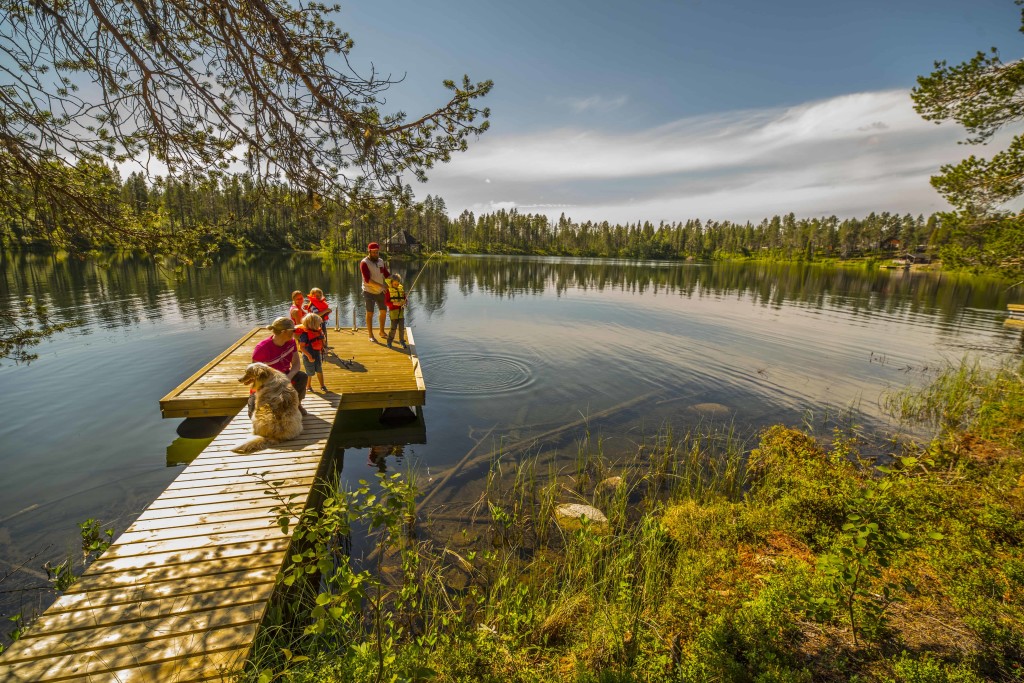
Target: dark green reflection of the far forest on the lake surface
{"x": 117, "y": 291}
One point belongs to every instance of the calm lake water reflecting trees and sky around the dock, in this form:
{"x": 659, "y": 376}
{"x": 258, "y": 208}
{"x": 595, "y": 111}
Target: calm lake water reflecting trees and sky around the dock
{"x": 511, "y": 349}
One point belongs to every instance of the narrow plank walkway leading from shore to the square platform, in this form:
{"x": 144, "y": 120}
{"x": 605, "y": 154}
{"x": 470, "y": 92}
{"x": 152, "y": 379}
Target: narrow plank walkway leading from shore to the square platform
{"x": 179, "y": 597}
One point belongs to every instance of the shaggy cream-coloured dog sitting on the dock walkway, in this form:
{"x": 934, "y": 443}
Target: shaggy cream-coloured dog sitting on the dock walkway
{"x": 277, "y": 417}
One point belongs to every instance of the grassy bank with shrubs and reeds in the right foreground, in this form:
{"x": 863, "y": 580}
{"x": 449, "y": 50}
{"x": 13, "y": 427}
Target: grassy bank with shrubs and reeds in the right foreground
{"x": 795, "y": 562}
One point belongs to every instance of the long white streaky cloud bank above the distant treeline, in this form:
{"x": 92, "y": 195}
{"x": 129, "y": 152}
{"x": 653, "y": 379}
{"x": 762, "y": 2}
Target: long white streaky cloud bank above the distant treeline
{"x": 848, "y": 156}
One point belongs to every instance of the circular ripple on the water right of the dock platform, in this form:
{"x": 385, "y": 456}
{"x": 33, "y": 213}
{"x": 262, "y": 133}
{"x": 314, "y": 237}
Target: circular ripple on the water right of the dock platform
{"x": 477, "y": 374}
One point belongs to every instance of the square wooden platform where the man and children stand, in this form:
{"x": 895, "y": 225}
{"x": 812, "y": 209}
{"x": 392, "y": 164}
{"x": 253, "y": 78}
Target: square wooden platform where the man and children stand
{"x": 378, "y": 377}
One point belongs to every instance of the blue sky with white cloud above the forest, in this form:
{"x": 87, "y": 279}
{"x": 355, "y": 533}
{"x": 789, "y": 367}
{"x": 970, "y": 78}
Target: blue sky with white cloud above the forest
{"x": 661, "y": 110}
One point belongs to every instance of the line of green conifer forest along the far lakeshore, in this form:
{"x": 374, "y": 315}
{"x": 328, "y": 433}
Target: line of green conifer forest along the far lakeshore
{"x": 237, "y": 211}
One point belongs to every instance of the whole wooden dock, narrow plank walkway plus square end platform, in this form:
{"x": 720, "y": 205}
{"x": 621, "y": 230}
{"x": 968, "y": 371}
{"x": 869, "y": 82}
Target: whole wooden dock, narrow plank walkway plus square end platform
{"x": 182, "y": 593}
